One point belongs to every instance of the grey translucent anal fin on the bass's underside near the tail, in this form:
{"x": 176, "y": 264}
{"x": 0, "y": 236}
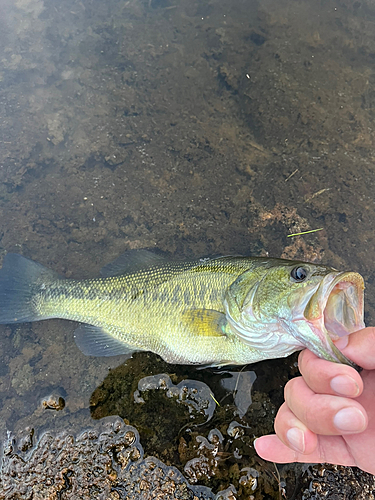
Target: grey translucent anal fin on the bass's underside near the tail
{"x": 95, "y": 341}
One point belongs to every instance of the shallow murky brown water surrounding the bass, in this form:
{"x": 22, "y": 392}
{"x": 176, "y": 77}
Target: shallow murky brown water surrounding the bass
{"x": 199, "y": 128}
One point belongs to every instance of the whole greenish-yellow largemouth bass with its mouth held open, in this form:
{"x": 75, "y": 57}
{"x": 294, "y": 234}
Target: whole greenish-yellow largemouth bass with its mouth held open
{"x": 228, "y": 310}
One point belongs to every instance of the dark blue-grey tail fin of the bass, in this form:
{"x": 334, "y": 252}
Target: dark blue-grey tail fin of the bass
{"x": 21, "y": 280}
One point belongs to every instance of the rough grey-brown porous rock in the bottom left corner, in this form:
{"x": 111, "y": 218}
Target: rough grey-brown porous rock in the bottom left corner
{"x": 105, "y": 462}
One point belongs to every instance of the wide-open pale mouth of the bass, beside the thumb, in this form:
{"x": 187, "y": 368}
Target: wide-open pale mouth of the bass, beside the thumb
{"x": 336, "y": 310}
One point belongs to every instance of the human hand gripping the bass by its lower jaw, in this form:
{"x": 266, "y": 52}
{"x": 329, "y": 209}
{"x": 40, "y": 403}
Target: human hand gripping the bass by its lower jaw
{"x": 329, "y": 412}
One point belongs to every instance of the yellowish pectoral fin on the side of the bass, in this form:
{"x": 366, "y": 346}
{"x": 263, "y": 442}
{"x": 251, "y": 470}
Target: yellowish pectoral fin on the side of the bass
{"x": 205, "y": 322}
